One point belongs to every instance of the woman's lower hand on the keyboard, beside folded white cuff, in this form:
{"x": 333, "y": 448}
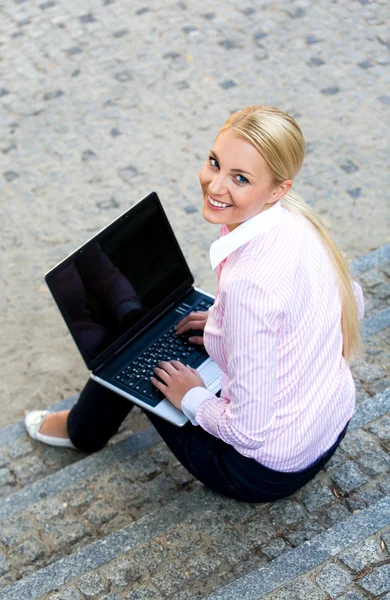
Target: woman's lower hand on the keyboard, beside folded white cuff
{"x": 177, "y": 380}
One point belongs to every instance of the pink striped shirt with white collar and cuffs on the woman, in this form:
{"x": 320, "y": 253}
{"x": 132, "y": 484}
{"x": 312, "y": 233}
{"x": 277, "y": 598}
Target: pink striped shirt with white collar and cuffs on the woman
{"x": 275, "y": 332}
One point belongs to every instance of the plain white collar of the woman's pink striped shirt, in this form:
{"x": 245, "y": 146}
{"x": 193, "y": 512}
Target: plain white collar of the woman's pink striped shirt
{"x": 225, "y": 245}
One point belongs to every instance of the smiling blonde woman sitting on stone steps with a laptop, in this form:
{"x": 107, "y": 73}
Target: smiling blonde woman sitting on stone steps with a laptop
{"x": 283, "y": 328}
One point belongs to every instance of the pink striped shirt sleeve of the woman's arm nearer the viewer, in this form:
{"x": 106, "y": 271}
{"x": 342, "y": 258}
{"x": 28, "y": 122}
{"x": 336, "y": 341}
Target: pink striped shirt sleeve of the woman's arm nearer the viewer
{"x": 250, "y": 325}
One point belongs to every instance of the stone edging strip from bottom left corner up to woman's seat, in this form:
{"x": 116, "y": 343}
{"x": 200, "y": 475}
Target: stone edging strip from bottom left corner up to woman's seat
{"x": 102, "y": 551}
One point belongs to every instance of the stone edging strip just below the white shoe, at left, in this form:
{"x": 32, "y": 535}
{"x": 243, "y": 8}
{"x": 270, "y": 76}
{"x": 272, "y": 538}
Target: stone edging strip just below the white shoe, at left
{"x": 77, "y": 471}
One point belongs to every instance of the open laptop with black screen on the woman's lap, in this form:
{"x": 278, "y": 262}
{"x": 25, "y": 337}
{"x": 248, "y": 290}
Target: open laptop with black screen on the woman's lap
{"x": 121, "y": 294}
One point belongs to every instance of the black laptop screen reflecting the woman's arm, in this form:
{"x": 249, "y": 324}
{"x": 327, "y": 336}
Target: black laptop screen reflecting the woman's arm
{"x": 116, "y": 283}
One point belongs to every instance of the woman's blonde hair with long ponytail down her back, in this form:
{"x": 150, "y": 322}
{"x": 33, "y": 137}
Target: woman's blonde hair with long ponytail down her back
{"x": 279, "y": 140}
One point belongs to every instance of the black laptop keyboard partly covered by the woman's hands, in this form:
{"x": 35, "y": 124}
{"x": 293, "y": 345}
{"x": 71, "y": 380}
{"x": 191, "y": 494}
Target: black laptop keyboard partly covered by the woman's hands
{"x": 136, "y": 376}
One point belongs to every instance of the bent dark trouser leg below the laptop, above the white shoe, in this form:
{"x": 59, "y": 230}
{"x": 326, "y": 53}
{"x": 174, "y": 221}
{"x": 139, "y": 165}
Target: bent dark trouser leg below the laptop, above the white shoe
{"x": 96, "y": 417}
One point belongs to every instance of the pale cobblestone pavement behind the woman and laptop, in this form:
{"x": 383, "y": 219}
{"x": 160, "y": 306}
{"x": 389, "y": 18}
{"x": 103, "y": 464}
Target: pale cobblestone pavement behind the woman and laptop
{"x": 102, "y": 101}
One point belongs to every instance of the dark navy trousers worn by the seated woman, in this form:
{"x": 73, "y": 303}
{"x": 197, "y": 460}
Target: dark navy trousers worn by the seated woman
{"x": 99, "y": 412}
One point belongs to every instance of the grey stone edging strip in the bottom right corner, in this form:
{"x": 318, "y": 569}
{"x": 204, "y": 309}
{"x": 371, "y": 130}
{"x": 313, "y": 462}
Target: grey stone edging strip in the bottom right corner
{"x": 298, "y": 561}
